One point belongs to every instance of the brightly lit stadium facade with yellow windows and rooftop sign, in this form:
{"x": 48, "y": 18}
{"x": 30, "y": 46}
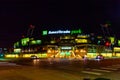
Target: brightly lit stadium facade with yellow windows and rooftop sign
{"x": 65, "y": 44}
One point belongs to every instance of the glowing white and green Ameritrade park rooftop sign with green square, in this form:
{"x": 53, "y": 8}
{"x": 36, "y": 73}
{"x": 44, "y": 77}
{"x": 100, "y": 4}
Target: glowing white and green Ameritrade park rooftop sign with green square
{"x": 45, "y": 32}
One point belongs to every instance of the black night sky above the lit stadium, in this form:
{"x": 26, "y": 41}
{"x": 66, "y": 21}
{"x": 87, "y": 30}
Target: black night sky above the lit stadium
{"x": 17, "y": 15}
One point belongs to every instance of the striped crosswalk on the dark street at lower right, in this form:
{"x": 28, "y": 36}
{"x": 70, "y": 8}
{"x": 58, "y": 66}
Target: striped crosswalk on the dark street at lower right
{"x": 102, "y": 70}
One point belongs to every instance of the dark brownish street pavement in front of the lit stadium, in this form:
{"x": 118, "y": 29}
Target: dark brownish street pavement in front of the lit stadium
{"x": 65, "y": 70}
